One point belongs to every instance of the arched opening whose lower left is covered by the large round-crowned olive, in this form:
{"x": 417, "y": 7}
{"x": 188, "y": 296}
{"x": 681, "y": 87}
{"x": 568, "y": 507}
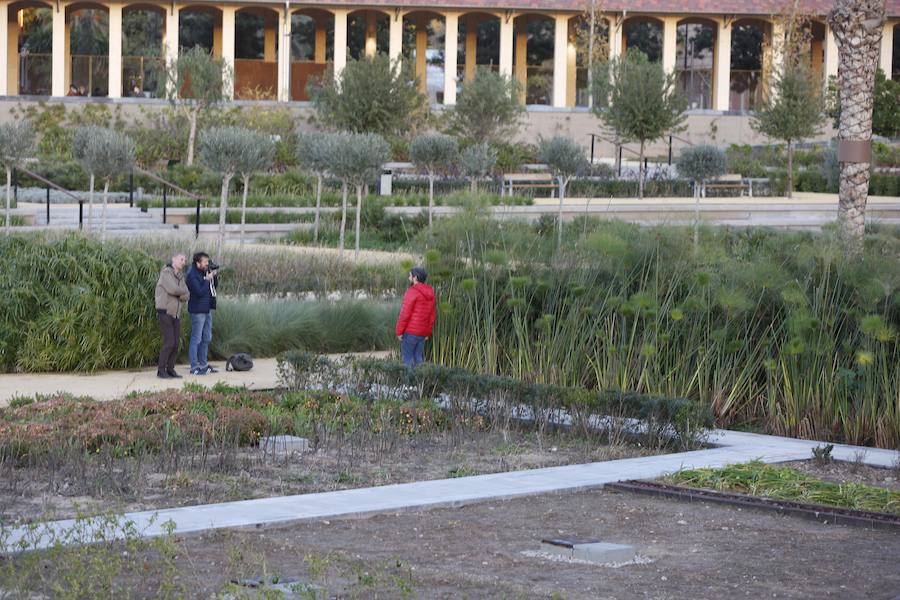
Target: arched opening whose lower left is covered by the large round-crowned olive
{"x": 694, "y": 54}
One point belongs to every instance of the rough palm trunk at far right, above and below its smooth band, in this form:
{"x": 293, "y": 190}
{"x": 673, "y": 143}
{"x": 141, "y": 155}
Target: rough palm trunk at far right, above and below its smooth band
{"x": 858, "y": 26}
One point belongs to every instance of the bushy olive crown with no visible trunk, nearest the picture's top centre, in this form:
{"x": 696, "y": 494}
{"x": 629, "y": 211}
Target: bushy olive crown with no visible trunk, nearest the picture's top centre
{"x": 487, "y": 108}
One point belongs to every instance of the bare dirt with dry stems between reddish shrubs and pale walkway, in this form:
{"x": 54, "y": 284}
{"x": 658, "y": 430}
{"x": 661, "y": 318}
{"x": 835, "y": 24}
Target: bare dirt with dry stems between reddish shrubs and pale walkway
{"x": 76, "y": 484}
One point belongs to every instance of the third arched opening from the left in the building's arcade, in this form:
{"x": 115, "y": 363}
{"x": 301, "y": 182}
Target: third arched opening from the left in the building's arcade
{"x": 142, "y": 49}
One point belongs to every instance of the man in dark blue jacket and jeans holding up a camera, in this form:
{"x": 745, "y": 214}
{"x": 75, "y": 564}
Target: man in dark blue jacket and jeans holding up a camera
{"x": 201, "y": 281}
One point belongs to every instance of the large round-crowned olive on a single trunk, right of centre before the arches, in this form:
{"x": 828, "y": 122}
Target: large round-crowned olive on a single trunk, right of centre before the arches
{"x": 638, "y": 101}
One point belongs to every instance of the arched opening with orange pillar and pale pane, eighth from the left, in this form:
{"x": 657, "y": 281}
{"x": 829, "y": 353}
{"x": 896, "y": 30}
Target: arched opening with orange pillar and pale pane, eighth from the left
{"x": 423, "y": 44}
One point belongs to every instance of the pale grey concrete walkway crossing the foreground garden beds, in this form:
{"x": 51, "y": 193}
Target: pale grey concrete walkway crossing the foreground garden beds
{"x": 732, "y": 447}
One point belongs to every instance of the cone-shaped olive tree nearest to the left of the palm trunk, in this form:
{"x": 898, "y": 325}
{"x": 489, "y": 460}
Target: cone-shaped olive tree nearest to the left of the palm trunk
{"x": 792, "y": 109}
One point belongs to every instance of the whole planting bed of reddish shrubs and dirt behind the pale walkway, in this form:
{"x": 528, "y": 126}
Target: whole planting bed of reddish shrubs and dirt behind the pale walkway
{"x": 64, "y": 455}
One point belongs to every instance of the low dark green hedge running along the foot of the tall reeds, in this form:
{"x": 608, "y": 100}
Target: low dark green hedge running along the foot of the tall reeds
{"x": 679, "y": 419}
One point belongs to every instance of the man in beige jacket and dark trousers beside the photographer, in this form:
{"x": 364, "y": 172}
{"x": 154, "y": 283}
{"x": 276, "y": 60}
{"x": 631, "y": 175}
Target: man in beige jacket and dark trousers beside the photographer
{"x": 171, "y": 296}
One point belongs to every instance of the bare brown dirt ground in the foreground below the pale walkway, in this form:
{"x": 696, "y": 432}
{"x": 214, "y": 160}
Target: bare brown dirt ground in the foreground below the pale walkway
{"x": 688, "y": 550}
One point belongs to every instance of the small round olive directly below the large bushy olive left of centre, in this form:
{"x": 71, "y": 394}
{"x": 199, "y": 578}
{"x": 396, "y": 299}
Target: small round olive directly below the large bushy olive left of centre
{"x": 359, "y": 160}
